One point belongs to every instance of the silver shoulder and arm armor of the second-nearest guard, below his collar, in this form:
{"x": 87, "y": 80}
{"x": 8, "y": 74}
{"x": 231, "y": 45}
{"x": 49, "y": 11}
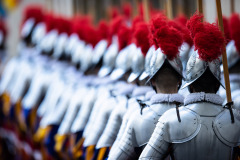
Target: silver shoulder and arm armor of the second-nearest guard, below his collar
{"x": 139, "y": 130}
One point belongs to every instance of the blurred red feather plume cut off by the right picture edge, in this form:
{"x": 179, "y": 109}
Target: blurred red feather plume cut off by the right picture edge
{"x": 235, "y": 29}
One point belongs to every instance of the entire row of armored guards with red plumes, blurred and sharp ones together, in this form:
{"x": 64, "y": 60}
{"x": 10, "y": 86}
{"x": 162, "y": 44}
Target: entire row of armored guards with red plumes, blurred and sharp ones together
{"x": 81, "y": 114}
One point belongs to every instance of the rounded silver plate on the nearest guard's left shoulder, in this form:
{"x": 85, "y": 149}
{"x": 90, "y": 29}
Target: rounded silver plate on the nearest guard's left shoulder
{"x": 179, "y": 131}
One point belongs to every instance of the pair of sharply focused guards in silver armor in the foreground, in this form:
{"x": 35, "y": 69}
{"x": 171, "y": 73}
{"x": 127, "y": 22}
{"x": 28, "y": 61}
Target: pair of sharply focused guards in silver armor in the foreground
{"x": 194, "y": 127}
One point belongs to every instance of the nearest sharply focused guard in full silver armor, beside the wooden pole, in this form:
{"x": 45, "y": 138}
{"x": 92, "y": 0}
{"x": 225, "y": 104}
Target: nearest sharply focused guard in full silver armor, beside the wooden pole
{"x": 204, "y": 129}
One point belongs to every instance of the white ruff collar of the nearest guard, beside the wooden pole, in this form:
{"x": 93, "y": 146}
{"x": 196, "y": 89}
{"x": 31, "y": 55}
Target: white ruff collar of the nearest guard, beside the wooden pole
{"x": 203, "y": 97}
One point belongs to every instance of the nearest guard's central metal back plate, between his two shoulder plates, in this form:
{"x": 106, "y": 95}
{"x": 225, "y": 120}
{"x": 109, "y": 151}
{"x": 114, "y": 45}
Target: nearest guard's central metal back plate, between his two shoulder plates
{"x": 208, "y": 146}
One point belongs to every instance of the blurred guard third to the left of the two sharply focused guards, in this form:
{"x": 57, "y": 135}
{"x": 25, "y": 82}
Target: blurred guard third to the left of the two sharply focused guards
{"x": 121, "y": 72}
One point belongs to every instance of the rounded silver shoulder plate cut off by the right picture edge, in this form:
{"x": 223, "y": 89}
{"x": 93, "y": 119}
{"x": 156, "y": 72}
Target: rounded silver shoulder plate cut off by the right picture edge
{"x": 227, "y": 131}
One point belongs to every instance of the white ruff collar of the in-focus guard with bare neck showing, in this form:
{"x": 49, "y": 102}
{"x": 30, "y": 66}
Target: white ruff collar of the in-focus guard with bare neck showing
{"x": 166, "y": 98}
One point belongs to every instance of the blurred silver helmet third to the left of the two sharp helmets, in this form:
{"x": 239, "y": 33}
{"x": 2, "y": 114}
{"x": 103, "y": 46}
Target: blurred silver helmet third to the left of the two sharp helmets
{"x": 123, "y": 62}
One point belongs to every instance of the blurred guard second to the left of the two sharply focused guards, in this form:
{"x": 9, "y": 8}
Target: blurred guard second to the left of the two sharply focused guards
{"x": 128, "y": 102}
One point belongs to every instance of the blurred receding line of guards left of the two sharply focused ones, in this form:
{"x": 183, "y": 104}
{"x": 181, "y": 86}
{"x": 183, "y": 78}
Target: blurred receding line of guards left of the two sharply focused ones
{"x": 46, "y": 94}
